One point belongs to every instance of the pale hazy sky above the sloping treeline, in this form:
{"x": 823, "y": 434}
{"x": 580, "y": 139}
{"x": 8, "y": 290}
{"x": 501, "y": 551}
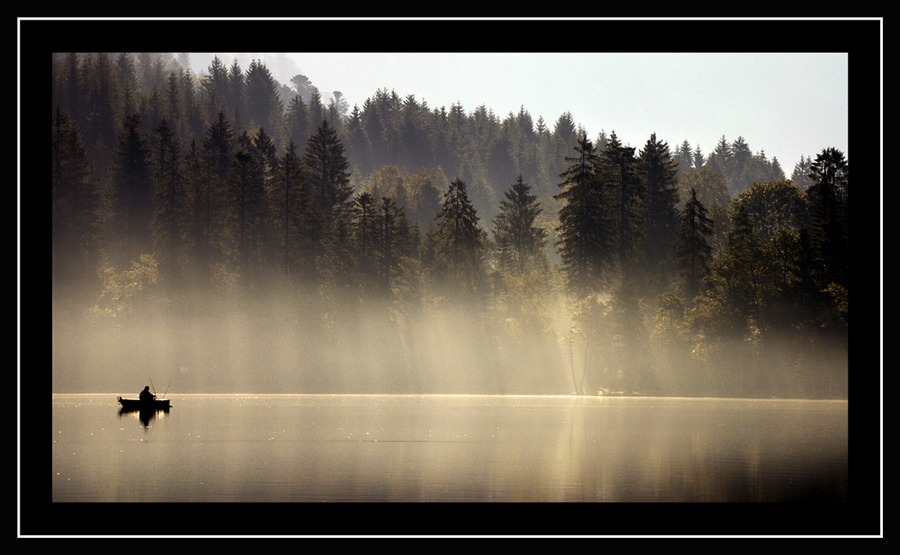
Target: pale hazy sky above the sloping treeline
{"x": 788, "y": 105}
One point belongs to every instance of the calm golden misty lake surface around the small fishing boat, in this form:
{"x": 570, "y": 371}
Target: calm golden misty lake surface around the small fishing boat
{"x": 449, "y": 448}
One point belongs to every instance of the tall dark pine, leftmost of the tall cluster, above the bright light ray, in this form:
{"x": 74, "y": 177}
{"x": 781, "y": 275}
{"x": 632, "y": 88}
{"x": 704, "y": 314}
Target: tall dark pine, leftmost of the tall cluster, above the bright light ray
{"x": 586, "y": 241}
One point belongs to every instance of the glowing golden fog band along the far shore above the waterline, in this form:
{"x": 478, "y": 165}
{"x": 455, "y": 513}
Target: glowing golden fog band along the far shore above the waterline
{"x": 297, "y": 342}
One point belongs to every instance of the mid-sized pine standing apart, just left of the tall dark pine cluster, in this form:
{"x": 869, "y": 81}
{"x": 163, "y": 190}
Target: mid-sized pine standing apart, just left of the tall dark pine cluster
{"x": 519, "y": 241}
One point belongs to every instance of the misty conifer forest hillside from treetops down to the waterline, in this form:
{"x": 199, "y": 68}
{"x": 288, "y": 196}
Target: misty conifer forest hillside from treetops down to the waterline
{"x": 238, "y": 234}
